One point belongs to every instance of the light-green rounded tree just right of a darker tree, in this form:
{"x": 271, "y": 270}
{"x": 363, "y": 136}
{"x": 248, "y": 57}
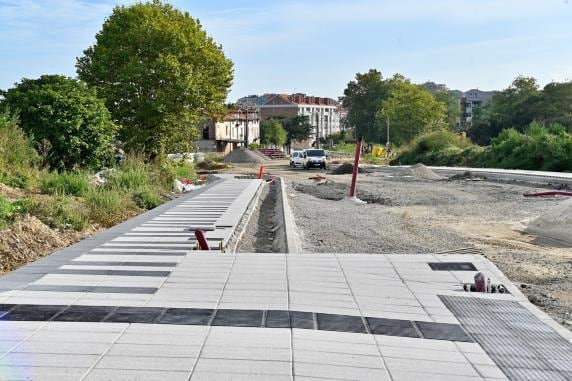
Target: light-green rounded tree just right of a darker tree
{"x": 411, "y": 111}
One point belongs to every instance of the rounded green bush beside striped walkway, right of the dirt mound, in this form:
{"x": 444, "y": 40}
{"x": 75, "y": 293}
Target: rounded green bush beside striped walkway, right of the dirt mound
{"x": 109, "y": 207}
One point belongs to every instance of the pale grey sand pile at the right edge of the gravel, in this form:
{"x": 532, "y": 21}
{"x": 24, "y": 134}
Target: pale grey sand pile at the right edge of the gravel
{"x": 555, "y": 223}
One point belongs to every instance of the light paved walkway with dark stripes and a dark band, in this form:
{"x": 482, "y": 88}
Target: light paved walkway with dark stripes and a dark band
{"x": 138, "y": 303}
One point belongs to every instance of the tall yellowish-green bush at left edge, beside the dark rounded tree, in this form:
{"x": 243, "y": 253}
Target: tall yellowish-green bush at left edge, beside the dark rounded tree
{"x": 18, "y": 159}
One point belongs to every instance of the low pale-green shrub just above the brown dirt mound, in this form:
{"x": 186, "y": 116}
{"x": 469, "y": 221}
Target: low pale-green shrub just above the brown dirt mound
{"x": 61, "y": 211}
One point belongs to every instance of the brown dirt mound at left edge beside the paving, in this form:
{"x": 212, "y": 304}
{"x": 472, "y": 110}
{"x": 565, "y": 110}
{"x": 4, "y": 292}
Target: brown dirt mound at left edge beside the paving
{"x": 29, "y": 239}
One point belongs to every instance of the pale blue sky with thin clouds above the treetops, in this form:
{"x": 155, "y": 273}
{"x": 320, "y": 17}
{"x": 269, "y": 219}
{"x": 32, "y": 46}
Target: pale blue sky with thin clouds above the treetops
{"x": 317, "y": 46}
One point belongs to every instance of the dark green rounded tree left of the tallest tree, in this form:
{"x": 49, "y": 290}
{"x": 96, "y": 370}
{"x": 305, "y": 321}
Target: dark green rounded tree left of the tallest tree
{"x": 65, "y": 120}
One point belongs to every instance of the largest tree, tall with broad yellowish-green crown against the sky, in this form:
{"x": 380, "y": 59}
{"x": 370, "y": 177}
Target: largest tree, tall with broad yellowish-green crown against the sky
{"x": 159, "y": 73}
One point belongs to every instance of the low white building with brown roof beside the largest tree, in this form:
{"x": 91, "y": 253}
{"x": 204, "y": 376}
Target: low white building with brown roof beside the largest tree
{"x": 229, "y": 133}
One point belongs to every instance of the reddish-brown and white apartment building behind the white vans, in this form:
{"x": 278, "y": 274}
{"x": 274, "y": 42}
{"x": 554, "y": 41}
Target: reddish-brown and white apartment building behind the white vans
{"x": 323, "y": 113}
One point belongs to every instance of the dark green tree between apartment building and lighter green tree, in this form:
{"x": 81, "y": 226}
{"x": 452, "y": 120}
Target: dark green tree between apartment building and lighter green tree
{"x": 362, "y": 98}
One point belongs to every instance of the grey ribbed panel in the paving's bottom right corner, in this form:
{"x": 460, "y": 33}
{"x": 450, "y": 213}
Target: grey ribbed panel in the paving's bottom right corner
{"x": 522, "y": 346}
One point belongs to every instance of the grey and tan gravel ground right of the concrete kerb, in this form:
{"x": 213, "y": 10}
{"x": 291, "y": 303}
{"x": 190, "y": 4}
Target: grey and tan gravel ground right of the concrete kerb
{"x": 407, "y": 215}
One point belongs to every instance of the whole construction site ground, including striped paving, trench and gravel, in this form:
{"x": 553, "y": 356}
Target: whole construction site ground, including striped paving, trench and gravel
{"x": 270, "y": 272}
